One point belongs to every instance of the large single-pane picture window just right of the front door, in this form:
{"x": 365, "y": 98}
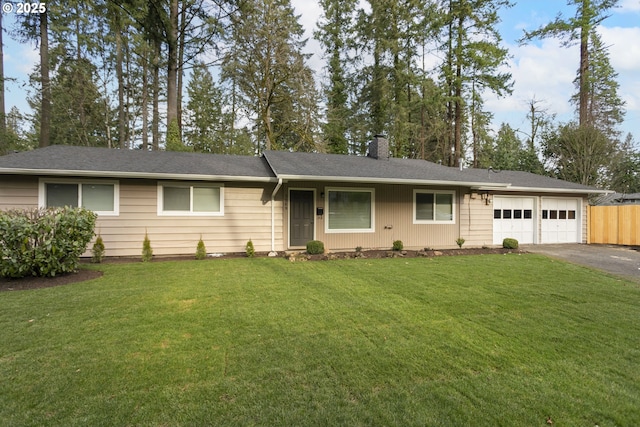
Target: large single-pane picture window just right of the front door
{"x": 349, "y": 210}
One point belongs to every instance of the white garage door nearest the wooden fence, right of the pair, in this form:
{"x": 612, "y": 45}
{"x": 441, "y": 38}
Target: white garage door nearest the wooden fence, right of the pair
{"x": 560, "y": 221}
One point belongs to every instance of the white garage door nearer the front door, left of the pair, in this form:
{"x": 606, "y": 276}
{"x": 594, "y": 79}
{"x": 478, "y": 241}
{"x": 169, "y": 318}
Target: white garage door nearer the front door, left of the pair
{"x": 513, "y": 217}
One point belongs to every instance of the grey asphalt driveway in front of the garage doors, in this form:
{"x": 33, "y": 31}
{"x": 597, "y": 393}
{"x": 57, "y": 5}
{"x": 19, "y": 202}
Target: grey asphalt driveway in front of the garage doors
{"x": 619, "y": 260}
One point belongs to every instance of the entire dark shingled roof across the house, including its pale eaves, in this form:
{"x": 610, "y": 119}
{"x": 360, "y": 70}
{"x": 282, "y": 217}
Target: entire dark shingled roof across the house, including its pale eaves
{"x": 88, "y": 161}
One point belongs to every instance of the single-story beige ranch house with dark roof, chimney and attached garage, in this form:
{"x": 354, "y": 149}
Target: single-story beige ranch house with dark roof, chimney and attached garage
{"x": 281, "y": 200}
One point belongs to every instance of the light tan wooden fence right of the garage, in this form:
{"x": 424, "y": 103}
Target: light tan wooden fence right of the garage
{"x": 615, "y": 225}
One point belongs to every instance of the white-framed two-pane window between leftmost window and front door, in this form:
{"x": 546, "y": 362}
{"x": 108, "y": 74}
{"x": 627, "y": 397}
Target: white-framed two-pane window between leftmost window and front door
{"x": 186, "y": 199}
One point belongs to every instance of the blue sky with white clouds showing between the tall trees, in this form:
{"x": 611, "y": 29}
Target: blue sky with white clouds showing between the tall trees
{"x": 542, "y": 70}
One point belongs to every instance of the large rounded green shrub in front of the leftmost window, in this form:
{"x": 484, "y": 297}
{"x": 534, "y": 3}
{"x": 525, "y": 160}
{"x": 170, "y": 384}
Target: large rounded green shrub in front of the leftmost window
{"x": 44, "y": 242}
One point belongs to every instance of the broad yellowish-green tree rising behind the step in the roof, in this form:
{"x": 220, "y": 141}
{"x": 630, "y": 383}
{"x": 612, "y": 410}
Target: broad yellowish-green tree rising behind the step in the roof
{"x": 270, "y": 71}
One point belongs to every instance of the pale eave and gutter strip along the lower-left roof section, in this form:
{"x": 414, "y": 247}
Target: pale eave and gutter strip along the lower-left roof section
{"x": 132, "y": 175}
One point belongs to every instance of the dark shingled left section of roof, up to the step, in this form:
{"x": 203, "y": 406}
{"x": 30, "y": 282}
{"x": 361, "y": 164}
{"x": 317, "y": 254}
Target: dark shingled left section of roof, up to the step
{"x": 113, "y": 162}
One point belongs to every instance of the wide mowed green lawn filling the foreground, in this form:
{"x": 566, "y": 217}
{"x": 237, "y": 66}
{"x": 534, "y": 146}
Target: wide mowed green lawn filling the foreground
{"x": 491, "y": 340}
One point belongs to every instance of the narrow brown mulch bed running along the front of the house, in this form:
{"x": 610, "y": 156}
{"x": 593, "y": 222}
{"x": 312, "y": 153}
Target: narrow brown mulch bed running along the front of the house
{"x": 82, "y": 275}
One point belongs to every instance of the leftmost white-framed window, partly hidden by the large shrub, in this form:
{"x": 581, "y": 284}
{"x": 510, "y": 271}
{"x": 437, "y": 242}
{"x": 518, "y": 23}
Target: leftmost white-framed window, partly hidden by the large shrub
{"x": 100, "y": 196}
